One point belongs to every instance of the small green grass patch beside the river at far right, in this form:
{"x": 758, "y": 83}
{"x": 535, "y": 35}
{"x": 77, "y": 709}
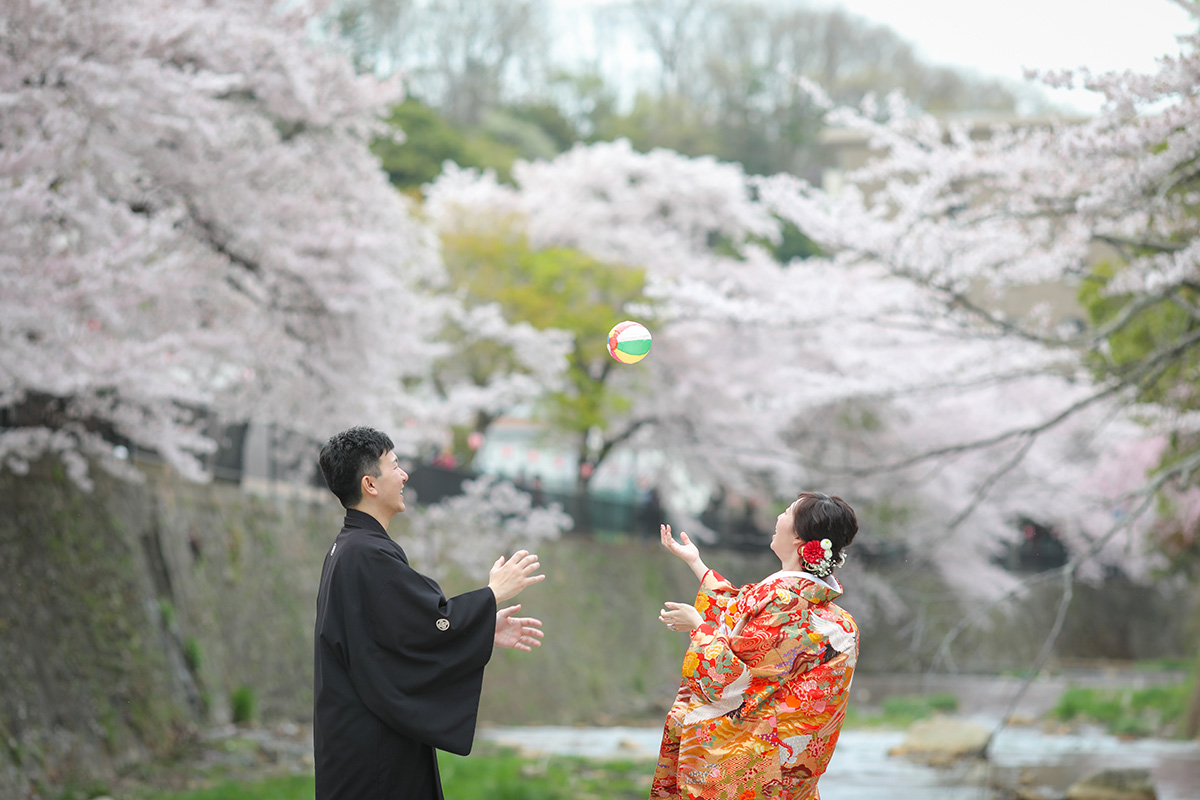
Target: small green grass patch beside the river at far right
{"x": 1151, "y": 712}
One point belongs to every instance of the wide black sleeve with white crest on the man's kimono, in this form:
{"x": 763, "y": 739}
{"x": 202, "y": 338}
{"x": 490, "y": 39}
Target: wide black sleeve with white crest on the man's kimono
{"x": 416, "y": 658}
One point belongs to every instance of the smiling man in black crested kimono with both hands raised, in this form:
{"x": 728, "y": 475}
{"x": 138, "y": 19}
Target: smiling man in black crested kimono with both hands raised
{"x": 399, "y": 667}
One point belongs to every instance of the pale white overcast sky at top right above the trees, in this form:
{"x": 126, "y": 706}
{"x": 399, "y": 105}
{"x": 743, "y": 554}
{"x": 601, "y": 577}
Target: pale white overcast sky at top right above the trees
{"x": 1003, "y": 39}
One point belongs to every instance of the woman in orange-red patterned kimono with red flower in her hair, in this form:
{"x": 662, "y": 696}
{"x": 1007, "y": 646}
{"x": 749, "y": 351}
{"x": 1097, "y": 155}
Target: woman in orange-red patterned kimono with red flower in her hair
{"x": 767, "y": 673}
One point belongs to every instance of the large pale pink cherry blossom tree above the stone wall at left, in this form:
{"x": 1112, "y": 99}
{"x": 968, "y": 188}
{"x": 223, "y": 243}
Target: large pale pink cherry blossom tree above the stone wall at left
{"x": 196, "y": 230}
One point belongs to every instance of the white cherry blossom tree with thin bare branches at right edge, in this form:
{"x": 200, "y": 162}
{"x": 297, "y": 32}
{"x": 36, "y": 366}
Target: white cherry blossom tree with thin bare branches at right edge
{"x": 1108, "y": 207}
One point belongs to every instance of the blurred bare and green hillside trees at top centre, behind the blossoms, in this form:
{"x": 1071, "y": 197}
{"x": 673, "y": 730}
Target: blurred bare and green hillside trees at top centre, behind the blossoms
{"x": 491, "y": 83}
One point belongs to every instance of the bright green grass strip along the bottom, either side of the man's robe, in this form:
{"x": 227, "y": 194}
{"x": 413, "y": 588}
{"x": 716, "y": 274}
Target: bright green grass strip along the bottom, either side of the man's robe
{"x": 490, "y": 774}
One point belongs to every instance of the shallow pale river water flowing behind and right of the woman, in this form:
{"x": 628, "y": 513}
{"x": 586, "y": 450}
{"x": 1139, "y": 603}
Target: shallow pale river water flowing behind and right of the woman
{"x": 1043, "y": 765}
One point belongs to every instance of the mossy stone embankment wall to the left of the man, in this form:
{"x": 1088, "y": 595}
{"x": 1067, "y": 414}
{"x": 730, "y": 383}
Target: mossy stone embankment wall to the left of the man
{"x": 131, "y": 615}
